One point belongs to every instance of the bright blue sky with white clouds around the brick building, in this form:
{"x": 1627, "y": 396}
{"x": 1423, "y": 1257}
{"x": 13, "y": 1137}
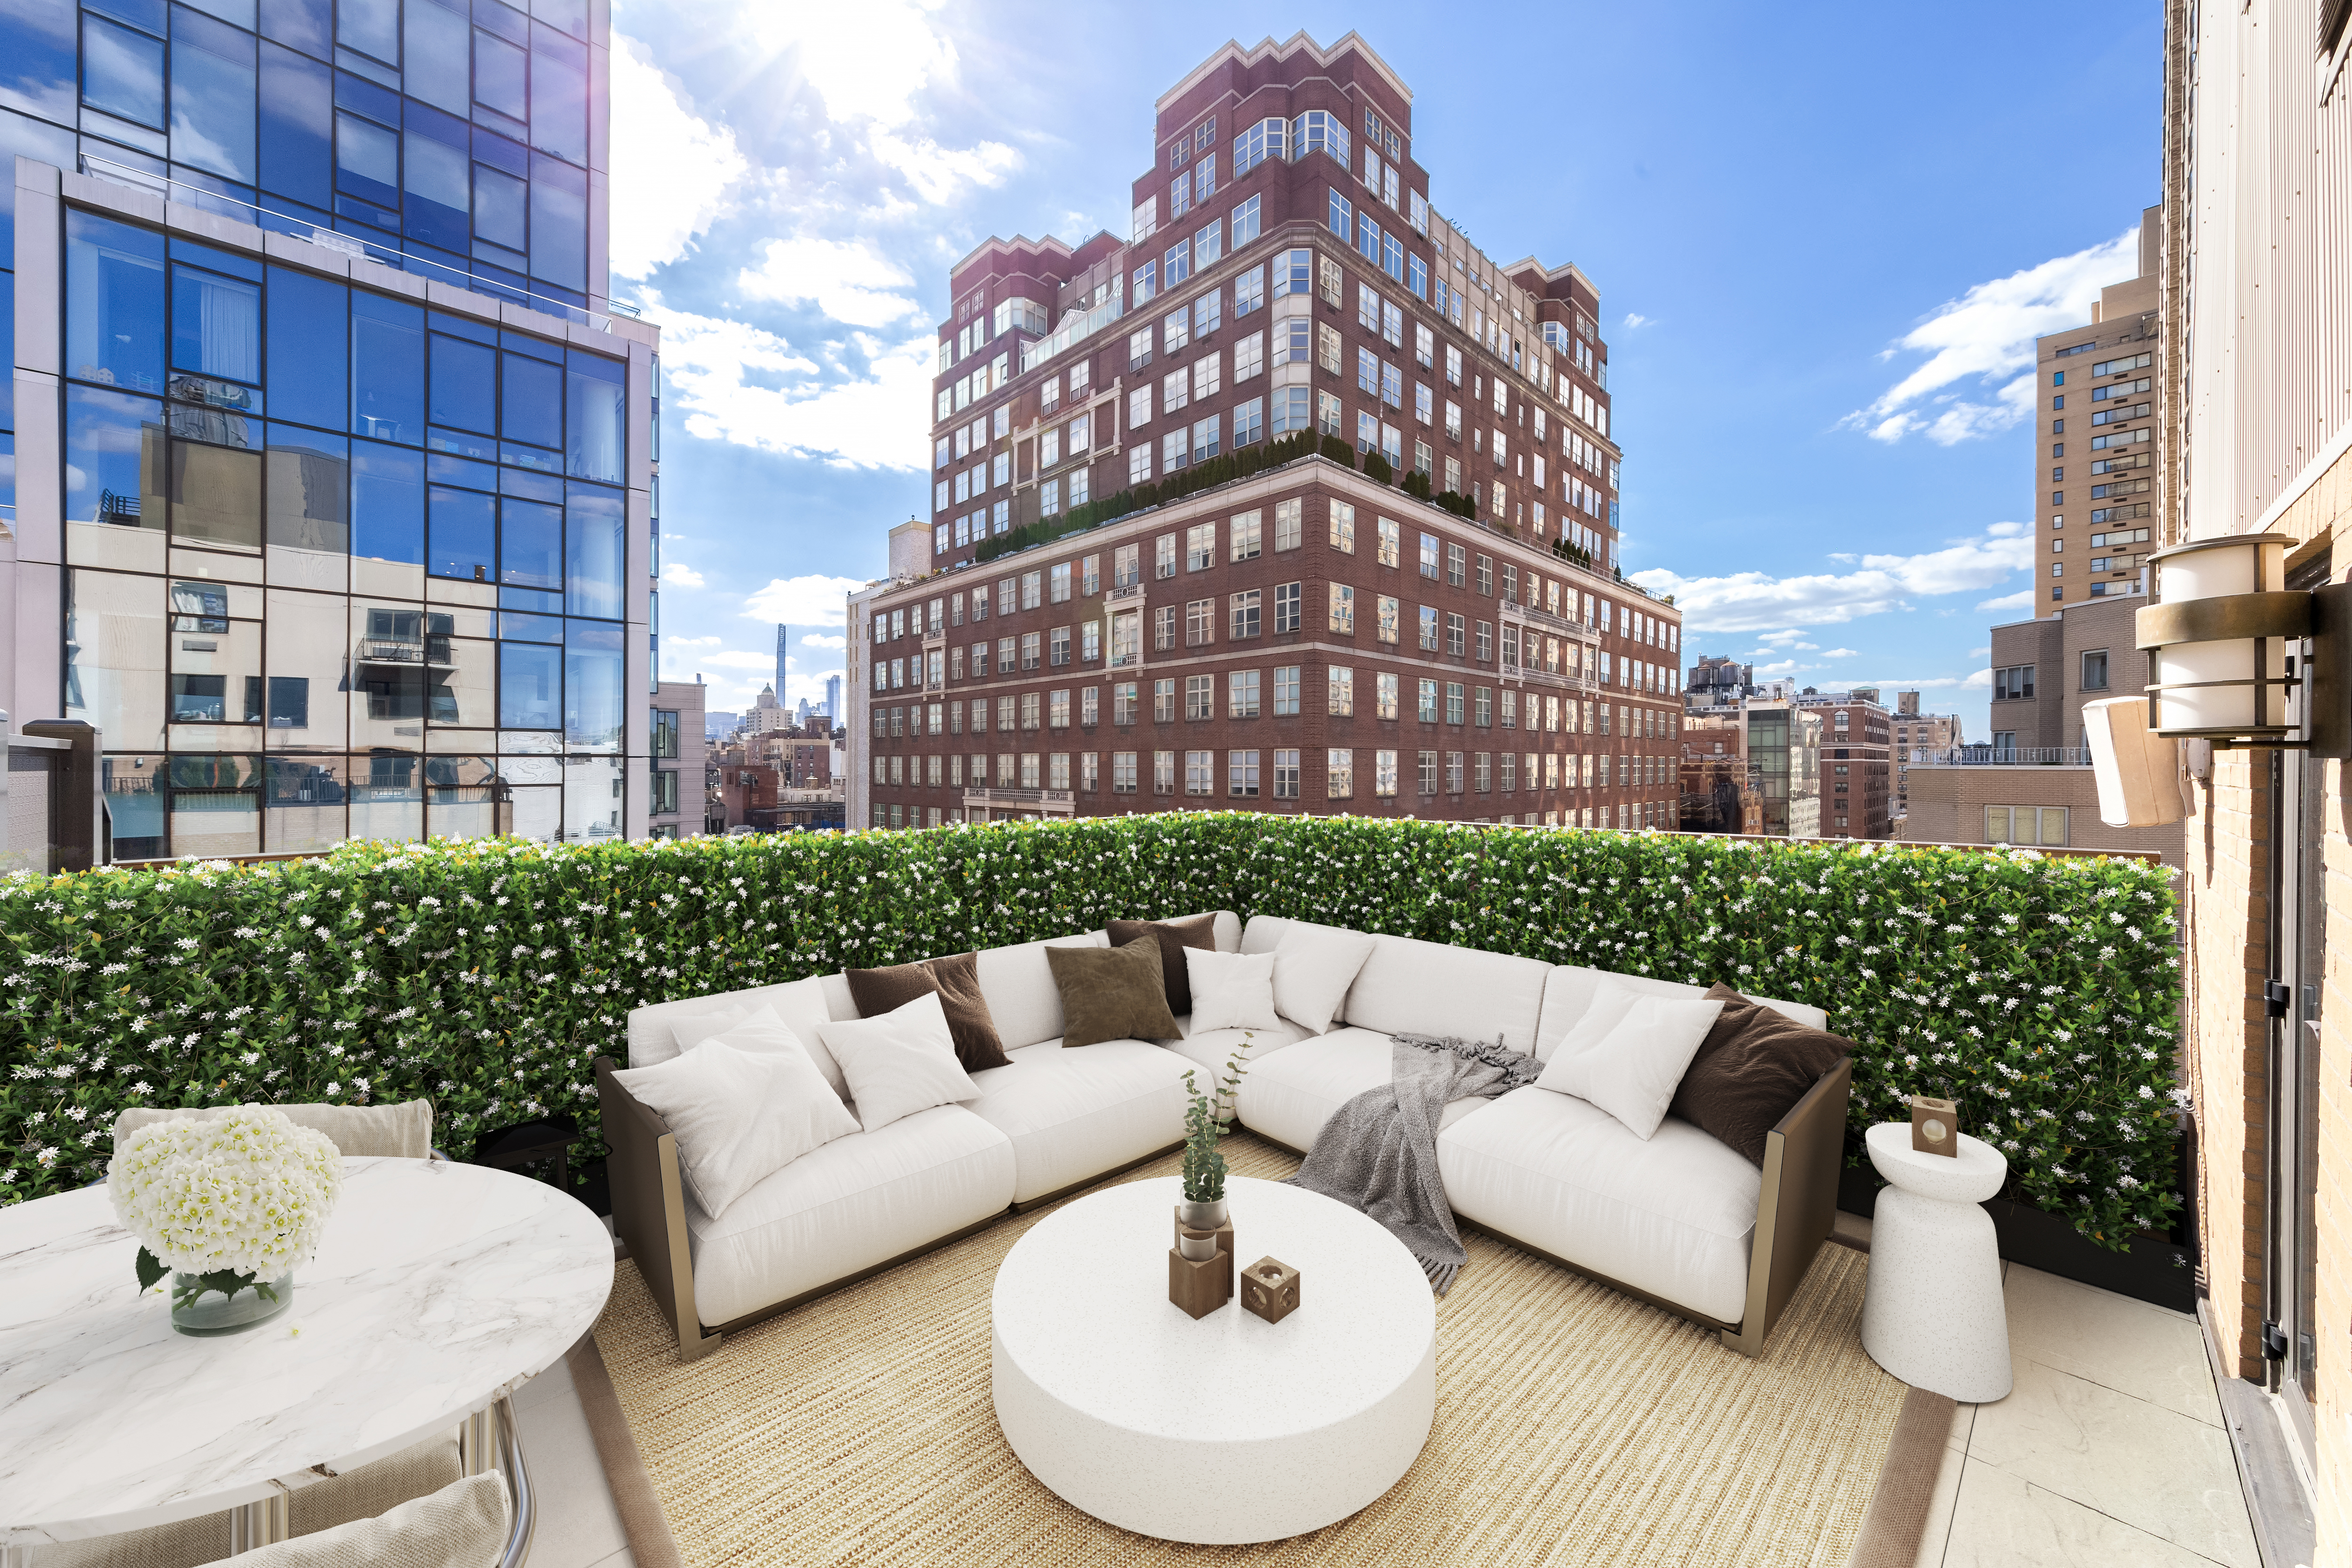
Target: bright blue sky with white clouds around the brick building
{"x": 1824, "y": 241}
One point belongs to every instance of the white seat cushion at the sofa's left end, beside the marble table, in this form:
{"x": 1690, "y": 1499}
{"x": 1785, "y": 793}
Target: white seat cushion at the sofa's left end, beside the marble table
{"x": 848, "y": 1207}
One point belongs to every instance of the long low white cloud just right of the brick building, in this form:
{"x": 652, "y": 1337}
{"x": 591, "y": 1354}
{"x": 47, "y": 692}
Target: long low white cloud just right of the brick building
{"x": 1756, "y": 601}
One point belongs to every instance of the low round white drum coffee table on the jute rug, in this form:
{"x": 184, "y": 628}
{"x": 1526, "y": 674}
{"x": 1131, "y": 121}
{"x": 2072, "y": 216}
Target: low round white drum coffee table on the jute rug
{"x": 1227, "y": 1428}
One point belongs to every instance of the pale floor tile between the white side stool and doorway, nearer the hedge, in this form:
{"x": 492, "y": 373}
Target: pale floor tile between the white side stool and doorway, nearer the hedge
{"x": 2109, "y": 1339}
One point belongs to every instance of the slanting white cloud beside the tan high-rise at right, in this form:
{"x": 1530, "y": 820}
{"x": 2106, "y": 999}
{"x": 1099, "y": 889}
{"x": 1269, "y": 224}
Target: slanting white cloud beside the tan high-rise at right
{"x": 1989, "y": 335}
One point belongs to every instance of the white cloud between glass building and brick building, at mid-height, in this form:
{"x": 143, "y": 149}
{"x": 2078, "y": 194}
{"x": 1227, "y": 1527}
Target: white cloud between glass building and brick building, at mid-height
{"x": 740, "y": 384}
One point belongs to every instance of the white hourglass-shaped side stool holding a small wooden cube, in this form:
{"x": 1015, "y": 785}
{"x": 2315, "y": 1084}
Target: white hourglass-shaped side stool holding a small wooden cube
{"x": 1935, "y": 1304}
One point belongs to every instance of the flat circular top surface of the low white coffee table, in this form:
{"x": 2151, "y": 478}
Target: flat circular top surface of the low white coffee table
{"x": 1083, "y": 1308}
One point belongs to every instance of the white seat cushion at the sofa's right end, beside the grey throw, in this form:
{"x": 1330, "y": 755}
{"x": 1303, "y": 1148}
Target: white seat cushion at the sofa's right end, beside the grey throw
{"x": 1671, "y": 1217}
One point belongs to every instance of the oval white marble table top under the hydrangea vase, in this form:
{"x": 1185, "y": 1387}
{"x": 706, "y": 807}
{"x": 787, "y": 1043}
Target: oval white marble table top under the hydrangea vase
{"x": 436, "y": 1292}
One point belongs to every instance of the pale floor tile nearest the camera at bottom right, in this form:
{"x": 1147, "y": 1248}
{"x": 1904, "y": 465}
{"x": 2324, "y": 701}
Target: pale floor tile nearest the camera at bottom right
{"x": 2125, "y": 1459}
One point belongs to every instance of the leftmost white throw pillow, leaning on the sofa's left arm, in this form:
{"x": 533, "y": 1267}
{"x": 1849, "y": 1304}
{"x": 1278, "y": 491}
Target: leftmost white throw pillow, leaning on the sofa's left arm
{"x": 744, "y": 1106}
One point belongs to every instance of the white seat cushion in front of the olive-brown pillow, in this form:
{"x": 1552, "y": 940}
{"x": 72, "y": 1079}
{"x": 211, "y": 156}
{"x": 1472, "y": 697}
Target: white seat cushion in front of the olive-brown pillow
{"x": 1083, "y": 1111}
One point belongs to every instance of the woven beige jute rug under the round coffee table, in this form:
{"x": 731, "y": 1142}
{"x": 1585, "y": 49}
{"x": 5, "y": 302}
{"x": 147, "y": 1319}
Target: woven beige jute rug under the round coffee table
{"x": 1575, "y": 1426}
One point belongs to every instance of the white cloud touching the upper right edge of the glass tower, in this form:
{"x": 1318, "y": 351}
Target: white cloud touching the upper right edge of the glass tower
{"x": 669, "y": 170}
